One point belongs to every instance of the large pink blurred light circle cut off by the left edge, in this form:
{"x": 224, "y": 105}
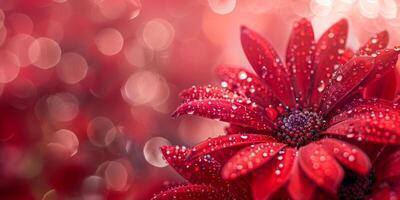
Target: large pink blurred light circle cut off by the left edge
{"x": 9, "y": 66}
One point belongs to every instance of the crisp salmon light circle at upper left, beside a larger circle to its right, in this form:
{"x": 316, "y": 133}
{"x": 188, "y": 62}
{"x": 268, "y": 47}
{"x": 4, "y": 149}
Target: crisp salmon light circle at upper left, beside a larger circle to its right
{"x": 109, "y": 41}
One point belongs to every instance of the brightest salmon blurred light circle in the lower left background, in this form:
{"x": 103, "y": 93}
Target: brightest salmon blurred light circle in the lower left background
{"x": 64, "y": 140}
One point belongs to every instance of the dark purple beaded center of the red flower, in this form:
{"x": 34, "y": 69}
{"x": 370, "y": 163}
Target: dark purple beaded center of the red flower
{"x": 299, "y": 128}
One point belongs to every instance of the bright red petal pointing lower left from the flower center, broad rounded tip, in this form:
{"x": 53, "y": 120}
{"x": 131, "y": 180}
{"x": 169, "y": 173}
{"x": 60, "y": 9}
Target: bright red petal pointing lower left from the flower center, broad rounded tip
{"x": 250, "y": 158}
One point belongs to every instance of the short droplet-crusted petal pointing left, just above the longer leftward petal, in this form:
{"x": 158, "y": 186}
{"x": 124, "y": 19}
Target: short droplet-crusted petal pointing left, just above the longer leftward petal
{"x": 209, "y": 92}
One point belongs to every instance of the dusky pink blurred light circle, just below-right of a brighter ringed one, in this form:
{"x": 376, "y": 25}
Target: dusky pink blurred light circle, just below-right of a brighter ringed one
{"x": 72, "y": 68}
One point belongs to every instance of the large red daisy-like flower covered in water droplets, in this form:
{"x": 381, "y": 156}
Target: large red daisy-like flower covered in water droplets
{"x": 293, "y": 126}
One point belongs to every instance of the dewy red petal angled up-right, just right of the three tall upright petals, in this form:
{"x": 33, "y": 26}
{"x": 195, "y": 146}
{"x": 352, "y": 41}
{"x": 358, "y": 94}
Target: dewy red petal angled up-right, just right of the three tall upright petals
{"x": 344, "y": 81}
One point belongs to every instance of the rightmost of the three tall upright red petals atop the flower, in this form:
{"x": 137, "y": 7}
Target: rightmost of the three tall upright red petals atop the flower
{"x": 328, "y": 51}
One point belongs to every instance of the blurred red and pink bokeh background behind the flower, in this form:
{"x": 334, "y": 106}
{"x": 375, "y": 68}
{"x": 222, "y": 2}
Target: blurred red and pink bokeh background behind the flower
{"x": 88, "y": 86}
